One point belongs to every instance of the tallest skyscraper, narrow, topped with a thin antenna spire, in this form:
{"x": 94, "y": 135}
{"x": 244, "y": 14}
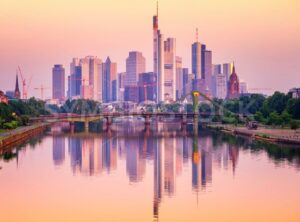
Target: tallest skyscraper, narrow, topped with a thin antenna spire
{"x": 158, "y": 58}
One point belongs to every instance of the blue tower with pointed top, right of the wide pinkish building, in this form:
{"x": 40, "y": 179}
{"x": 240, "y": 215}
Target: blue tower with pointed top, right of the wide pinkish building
{"x": 109, "y": 74}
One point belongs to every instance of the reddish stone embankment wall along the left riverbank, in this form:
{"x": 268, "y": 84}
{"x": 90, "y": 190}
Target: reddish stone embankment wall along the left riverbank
{"x": 21, "y": 134}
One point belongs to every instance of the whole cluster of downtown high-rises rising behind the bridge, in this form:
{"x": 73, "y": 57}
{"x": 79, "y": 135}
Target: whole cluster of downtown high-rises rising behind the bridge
{"x": 90, "y": 78}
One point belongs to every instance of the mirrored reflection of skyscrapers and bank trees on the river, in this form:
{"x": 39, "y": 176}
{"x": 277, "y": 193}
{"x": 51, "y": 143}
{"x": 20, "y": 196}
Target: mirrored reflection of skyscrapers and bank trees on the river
{"x": 169, "y": 153}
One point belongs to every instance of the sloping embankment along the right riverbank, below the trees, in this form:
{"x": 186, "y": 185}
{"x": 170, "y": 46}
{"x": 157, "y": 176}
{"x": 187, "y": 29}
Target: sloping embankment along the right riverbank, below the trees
{"x": 271, "y": 135}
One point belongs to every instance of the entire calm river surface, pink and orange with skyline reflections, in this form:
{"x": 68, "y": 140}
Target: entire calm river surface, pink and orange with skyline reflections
{"x": 166, "y": 174}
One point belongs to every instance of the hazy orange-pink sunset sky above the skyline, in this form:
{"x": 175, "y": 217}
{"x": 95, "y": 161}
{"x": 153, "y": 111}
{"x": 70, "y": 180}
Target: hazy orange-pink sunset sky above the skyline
{"x": 262, "y": 37}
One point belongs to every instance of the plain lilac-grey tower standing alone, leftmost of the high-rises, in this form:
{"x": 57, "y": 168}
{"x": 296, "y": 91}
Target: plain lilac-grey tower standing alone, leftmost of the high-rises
{"x": 58, "y": 82}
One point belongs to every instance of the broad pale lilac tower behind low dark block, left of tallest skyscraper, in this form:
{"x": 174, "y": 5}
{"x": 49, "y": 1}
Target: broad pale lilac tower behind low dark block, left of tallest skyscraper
{"x": 135, "y": 65}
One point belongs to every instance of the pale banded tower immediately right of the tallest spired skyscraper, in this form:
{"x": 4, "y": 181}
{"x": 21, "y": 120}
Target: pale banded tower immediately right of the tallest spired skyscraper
{"x": 170, "y": 69}
